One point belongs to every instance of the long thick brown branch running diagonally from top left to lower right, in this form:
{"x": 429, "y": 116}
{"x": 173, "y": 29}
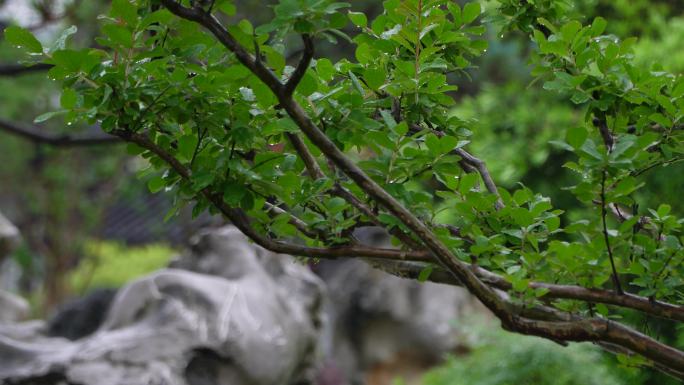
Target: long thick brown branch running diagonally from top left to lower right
{"x": 589, "y": 330}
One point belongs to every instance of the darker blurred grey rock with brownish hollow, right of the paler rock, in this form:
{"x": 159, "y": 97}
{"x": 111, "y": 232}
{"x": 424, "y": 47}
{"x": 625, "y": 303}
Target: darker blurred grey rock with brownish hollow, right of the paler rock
{"x": 384, "y": 326}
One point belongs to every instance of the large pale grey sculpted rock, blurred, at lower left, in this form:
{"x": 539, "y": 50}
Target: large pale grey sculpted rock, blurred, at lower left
{"x": 176, "y": 327}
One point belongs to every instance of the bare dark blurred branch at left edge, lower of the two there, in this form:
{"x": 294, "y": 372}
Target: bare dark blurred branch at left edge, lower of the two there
{"x": 64, "y": 140}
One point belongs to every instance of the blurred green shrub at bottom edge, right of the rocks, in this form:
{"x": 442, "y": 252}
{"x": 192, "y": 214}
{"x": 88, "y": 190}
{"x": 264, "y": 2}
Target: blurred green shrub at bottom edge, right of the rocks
{"x": 501, "y": 358}
